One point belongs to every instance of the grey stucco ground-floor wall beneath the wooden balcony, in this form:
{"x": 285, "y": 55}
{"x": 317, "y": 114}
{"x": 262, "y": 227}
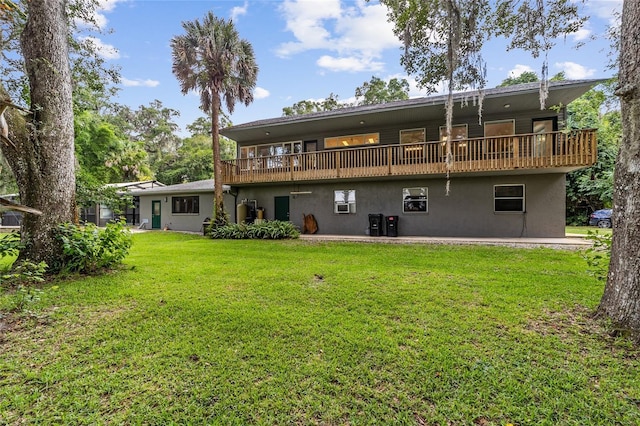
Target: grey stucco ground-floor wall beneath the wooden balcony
{"x": 468, "y": 210}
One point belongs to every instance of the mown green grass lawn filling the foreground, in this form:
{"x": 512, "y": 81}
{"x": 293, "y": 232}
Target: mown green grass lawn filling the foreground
{"x": 196, "y": 331}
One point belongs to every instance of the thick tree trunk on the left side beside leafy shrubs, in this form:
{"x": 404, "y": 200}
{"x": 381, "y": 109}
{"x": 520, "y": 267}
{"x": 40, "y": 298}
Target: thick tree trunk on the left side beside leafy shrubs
{"x": 43, "y": 158}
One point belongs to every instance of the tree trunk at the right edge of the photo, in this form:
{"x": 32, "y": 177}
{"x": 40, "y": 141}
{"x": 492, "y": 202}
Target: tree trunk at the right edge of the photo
{"x": 621, "y": 299}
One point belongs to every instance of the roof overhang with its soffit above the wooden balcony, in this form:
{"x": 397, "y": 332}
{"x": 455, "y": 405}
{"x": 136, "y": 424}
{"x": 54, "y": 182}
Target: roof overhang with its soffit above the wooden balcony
{"x": 496, "y": 101}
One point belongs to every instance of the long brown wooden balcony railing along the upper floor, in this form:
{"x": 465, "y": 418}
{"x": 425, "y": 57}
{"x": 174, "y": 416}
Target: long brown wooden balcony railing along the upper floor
{"x": 525, "y": 151}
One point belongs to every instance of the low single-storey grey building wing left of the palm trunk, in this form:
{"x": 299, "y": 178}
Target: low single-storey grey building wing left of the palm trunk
{"x": 182, "y": 207}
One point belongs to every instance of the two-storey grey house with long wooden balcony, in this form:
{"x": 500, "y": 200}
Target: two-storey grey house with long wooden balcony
{"x": 507, "y": 178}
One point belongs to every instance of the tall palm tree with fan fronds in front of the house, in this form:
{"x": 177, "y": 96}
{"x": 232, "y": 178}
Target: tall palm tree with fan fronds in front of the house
{"x": 212, "y": 59}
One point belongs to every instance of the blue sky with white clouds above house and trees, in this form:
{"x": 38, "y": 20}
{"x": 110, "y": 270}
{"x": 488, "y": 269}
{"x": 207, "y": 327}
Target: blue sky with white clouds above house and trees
{"x": 306, "y": 49}
